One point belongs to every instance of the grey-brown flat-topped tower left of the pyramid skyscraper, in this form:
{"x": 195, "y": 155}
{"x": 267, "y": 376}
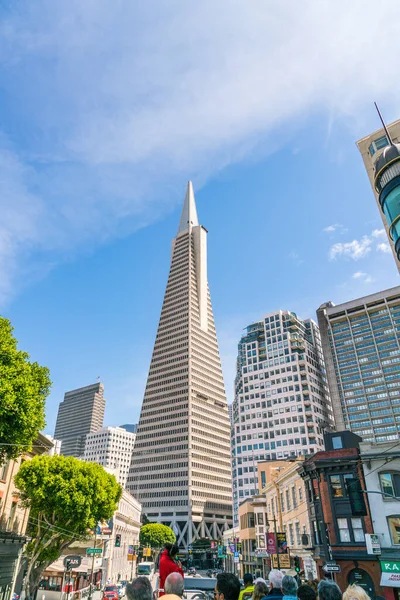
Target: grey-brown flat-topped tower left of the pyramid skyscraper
{"x": 81, "y": 412}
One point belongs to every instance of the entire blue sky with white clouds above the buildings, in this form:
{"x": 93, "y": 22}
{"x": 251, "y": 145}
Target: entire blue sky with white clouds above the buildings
{"x": 109, "y": 107}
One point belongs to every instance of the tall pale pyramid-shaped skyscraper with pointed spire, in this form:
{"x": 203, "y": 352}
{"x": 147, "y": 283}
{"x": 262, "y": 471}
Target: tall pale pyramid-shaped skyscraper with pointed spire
{"x": 181, "y": 470}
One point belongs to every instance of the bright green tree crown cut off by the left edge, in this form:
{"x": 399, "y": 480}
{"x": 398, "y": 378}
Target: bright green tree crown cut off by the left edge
{"x": 24, "y": 387}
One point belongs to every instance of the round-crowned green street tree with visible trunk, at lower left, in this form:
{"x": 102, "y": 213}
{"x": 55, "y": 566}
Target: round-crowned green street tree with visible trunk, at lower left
{"x": 67, "y": 497}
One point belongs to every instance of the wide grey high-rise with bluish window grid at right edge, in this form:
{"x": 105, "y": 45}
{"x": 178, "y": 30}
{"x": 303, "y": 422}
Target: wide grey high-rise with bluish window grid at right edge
{"x": 361, "y": 345}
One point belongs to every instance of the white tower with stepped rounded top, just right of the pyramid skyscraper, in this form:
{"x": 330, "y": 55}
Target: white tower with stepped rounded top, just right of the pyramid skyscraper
{"x": 282, "y": 404}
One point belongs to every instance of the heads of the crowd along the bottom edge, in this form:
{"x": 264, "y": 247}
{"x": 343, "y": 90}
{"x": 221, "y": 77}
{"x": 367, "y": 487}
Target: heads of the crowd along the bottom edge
{"x": 228, "y": 587}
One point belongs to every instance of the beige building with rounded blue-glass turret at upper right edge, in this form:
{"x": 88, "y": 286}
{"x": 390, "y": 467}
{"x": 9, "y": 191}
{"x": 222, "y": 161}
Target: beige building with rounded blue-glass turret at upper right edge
{"x": 381, "y": 155}
